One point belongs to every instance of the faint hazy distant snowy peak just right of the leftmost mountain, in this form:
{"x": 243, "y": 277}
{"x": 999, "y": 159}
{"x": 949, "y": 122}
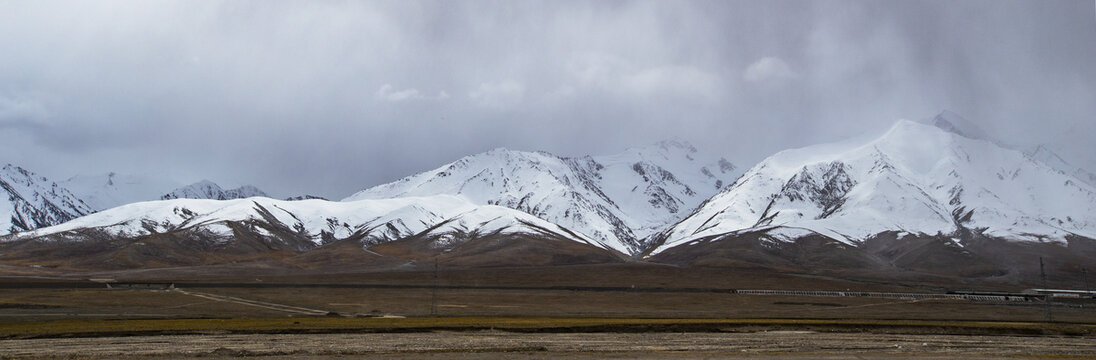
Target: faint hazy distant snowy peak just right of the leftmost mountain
{"x": 110, "y": 190}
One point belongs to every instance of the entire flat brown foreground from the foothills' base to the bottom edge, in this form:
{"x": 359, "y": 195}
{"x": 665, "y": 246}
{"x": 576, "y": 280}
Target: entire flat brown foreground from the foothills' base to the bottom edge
{"x": 620, "y": 311}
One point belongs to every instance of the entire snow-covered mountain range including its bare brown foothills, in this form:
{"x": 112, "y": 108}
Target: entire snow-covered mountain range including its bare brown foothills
{"x": 931, "y": 199}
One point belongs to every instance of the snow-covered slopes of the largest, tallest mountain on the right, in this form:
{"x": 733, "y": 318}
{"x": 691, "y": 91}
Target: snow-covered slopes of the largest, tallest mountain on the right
{"x": 916, "y": 179}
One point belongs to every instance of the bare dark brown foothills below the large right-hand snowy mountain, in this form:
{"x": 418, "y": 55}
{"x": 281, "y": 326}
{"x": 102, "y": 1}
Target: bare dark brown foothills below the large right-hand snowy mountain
{"x": 912, "y": 260}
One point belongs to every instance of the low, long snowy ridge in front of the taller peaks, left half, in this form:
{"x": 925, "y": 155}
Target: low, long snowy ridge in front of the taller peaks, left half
{"x": 375, "y": 221}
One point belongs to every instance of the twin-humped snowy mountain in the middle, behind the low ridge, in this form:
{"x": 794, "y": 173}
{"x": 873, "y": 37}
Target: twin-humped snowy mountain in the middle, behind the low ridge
{"x": 616, "y": 200}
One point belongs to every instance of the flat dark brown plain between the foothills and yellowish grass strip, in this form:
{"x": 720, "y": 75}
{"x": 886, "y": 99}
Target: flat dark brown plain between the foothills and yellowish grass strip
{"x": 623, "y": 290}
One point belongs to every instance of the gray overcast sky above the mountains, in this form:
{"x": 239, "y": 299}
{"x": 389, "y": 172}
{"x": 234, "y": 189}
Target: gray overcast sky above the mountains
{"x": 328, "y": 98}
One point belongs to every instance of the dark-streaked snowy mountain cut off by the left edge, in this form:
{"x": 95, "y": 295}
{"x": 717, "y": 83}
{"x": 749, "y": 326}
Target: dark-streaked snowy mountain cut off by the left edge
{"x": 29, "y": 201}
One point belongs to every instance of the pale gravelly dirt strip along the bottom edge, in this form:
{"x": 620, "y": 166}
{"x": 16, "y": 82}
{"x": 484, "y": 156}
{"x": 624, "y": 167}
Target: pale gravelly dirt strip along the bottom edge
{"x": 477, "y": 345}
